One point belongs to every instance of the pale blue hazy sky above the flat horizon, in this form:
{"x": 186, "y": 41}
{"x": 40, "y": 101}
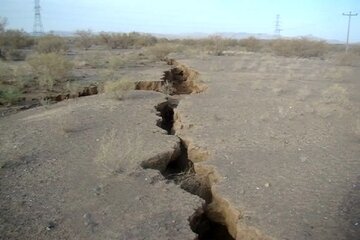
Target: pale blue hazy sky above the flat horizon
{"x": 321, "y": 18}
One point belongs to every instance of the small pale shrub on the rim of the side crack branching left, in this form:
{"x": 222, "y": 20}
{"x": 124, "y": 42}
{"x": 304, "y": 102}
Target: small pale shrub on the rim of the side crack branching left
{"x": 119, "y": 88}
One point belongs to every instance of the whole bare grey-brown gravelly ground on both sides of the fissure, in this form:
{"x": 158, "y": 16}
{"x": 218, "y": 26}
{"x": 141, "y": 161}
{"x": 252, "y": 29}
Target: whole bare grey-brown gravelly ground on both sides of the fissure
{"x": 251, "y": 147}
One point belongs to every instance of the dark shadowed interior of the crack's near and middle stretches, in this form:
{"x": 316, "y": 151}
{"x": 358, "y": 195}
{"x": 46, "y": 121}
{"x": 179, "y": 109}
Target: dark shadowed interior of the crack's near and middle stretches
{"x": 181, "y": 171}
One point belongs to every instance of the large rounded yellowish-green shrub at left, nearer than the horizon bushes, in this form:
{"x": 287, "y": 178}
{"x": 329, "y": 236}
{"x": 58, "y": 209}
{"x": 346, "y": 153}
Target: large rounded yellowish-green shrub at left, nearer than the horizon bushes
{"x": 50, "y": 68}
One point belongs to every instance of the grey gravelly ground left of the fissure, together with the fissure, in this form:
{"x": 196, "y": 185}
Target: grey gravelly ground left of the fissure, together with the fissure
{"x": 52, "y": 189}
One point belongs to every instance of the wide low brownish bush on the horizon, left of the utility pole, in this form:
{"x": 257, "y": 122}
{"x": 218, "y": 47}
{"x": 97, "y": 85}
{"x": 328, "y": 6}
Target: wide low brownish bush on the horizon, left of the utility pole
{"x": 302, "y": 47}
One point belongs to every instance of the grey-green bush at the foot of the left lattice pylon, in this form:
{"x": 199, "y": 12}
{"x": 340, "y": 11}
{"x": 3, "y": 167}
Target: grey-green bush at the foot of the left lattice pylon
{"x": 51, "y": 44}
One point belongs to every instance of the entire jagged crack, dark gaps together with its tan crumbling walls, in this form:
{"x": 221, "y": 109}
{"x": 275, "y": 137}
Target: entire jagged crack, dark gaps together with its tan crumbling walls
{"x": 216, "y": 219}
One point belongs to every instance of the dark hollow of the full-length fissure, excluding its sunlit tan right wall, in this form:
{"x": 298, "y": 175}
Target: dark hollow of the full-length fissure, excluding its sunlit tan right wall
{"x": 181, "y": 169}
